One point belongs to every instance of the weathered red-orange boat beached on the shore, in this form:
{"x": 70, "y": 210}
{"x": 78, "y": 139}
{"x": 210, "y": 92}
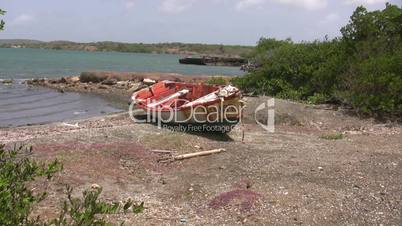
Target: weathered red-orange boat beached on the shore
{"x": 197, "y": 105}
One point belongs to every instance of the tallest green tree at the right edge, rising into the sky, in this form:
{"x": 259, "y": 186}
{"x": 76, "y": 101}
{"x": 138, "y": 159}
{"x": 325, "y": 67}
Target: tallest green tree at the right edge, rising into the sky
{"x": 373, "y": 42}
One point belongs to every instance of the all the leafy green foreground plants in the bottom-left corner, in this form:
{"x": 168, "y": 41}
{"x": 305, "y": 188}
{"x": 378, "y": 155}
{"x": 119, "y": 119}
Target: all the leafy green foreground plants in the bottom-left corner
{"x": 17, "y": 199}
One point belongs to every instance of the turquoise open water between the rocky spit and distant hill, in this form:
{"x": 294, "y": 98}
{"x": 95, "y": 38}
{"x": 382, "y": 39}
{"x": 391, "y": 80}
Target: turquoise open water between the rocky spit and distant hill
{"x": 30, "y": 63}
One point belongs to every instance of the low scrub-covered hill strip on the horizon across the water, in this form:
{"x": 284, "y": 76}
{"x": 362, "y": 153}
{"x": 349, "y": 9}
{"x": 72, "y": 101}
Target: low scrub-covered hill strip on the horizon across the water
{"x": 169, "y": 48}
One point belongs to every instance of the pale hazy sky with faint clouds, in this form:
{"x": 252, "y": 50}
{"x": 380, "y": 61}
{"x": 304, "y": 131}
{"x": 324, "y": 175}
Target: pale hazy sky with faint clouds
{"x": 240, "y": 22}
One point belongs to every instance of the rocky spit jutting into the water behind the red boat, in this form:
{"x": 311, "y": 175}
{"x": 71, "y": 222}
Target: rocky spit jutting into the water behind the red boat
{"x": 116, "y": 87}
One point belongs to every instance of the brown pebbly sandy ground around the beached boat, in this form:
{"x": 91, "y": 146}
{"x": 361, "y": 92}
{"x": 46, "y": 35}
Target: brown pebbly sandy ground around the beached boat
{"x": 292, "y": 176}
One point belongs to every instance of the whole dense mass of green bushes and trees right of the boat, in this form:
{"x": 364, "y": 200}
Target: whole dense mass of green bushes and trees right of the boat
{"x": 362, "y": 68}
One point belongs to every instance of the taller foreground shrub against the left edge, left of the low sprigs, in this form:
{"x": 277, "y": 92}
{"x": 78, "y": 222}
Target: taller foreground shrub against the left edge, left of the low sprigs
{"x": 16, "y": 199}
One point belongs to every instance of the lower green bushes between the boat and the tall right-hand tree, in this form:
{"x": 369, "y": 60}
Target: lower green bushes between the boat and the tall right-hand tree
{"x": 296, "y": 71}
